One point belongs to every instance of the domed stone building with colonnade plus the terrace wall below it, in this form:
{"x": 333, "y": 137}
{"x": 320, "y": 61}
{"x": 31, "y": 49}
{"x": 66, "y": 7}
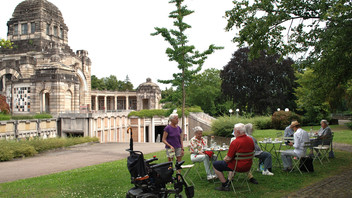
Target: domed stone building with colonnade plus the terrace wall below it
{"x": 42, "y": 74}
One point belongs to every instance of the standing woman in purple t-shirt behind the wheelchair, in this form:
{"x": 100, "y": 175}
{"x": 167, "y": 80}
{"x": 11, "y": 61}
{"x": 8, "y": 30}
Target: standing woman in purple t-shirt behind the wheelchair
{"x": 173, "y": 139}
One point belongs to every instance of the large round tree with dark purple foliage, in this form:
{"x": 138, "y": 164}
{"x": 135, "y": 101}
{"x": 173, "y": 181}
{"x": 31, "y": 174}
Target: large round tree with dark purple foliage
{"x": 260, "y": 85}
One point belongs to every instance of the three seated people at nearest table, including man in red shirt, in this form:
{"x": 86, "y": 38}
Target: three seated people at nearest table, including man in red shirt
{"x": 242, "y": 142}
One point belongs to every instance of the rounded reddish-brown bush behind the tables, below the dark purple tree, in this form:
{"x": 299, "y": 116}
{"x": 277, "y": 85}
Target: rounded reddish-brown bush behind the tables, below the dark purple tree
{"x": 281, "y": 119}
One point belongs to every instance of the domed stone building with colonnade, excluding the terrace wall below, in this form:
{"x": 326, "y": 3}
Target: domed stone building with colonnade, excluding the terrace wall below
{"x": 42, "y": 73}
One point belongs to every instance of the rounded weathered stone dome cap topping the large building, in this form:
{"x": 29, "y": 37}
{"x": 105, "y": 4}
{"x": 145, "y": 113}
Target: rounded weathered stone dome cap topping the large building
{"x": 37, "y": 9}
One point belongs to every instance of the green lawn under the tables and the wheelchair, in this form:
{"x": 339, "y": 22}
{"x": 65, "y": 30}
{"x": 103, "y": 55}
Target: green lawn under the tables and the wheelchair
{"x": 113, "y": 179}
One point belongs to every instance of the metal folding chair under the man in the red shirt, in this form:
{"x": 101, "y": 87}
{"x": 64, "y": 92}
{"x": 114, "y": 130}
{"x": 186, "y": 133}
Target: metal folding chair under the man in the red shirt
{"x": 239, "y": 157}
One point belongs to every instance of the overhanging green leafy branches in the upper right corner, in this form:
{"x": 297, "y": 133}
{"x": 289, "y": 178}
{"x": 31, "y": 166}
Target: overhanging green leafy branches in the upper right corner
{"x": 319, "y": 29}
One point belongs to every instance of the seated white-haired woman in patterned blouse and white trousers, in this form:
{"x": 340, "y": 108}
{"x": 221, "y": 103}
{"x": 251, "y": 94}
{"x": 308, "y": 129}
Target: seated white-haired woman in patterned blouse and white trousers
{"x": 197, "y": 145}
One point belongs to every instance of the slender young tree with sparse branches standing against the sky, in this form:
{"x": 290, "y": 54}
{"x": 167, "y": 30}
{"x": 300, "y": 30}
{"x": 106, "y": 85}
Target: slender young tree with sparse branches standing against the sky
{"x": 185, "y": 55}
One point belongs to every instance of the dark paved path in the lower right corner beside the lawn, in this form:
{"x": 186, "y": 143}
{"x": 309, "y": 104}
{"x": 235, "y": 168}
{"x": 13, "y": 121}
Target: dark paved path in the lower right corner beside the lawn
{"x": 338, "y": 186}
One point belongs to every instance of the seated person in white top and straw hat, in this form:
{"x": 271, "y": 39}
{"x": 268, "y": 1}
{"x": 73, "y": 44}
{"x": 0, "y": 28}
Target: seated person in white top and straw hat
{"x": 299, "y": 137}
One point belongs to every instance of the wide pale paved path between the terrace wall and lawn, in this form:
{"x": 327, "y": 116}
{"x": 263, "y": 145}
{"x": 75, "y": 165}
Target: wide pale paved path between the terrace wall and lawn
{"x": 70, "y": 158}
